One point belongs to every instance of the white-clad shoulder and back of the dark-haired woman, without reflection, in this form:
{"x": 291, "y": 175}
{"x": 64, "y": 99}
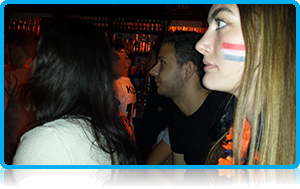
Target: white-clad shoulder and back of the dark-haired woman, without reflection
{"x": 68, "y": 141}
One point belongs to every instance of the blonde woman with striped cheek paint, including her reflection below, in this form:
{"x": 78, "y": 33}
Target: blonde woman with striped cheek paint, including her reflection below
{"x": 250, "y": 52}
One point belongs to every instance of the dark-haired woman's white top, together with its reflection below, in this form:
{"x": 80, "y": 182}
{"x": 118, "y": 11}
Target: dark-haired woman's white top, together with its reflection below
{"x": 60, "y": 142}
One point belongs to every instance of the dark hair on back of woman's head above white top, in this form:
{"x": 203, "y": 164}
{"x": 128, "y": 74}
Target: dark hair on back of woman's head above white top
{"x": 72, "y": 70}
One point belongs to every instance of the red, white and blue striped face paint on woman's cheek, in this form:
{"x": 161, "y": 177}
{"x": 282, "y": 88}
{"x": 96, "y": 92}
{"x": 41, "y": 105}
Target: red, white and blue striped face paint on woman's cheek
{"x": 233, "y": 52}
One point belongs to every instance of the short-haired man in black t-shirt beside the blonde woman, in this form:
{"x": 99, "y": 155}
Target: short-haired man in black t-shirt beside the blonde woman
{"x": 178, "y": 75}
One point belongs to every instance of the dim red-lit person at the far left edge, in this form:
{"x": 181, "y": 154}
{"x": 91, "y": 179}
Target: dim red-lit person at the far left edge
{"x": 20, "y": 47}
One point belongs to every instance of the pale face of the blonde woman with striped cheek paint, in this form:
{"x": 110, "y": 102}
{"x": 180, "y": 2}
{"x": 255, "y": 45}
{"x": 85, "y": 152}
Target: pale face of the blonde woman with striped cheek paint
{"x": 223, "y": 47}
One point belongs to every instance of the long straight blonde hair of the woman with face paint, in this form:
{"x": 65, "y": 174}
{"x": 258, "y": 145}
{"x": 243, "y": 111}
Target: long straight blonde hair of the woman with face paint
{"x": 270, "y": 38}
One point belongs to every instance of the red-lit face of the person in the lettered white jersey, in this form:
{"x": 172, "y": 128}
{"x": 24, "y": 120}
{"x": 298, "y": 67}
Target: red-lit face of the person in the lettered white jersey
{"x": 121, "y": 66}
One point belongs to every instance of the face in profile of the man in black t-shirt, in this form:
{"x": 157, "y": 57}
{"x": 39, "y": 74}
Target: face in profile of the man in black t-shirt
{"x": 167, "y": 73}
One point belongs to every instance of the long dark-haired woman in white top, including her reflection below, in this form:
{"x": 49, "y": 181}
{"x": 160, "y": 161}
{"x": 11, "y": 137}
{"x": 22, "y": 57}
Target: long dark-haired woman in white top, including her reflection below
{"x": 78, "y": 122}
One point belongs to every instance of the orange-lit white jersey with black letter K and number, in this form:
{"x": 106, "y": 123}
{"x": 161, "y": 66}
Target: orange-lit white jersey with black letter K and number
{"x": 126, "y": 94}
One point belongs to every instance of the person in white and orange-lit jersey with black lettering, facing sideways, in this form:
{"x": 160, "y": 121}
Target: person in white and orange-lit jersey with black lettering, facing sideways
{"x": 124, "y": 89}
